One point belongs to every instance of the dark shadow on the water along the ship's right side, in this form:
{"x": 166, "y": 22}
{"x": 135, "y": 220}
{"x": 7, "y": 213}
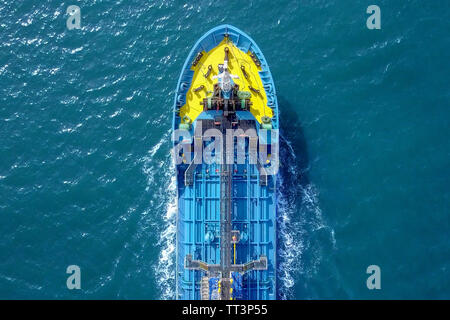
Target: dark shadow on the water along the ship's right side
{"x": 293, "y": 181}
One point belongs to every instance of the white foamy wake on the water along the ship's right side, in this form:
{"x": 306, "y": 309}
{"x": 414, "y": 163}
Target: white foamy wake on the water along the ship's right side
{"x": 299, "y": 214}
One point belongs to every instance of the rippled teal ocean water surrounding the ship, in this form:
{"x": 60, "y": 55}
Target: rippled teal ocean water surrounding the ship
{"x": 85, "y": 126}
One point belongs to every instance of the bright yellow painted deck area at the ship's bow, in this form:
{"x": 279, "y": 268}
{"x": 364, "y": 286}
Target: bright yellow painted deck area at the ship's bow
{"x": 237, "y": 58}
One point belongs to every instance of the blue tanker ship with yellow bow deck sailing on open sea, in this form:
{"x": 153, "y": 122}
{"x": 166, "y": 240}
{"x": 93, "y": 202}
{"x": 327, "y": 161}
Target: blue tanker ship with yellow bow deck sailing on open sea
{"x": 225, "y": 146}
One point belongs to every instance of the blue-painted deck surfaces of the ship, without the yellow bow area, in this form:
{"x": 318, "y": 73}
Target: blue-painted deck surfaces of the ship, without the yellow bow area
{"x": 253, "y": 205}
